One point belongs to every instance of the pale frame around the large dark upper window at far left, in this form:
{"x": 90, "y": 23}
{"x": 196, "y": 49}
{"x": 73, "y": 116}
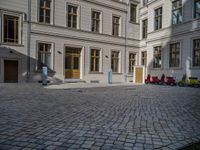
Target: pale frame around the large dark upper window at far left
{"x": 20, "y": 27}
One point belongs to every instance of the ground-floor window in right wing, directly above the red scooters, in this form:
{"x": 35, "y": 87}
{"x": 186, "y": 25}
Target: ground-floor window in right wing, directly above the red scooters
{"x": 157, "y": 57}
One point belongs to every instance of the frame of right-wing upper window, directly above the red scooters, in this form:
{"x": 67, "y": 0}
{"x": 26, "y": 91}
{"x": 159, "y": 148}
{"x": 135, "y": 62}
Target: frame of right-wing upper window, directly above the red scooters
{"x": 159, "y": 17}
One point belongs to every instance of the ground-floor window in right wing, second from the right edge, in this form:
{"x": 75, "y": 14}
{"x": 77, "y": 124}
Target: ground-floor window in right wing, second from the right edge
{"x": 174, "y": 55}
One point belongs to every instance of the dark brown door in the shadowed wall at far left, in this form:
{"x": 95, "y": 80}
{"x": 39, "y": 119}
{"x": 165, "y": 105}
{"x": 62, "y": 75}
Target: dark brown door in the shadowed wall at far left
{"x": 10, "y": 71}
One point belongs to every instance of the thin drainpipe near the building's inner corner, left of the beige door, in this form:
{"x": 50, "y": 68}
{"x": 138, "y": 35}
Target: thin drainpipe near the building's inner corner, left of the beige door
{"x": 125, "y": 44}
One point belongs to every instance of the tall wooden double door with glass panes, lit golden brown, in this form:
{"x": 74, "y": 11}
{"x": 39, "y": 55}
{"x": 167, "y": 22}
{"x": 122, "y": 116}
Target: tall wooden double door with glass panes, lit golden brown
{"x": 72, "y": 63}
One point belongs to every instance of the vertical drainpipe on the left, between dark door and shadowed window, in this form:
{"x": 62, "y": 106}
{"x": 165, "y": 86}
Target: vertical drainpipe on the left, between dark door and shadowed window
{"x": 28, "y": 39}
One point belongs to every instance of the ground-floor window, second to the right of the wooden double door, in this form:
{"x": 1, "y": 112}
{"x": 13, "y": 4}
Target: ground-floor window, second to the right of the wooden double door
{"x": 115, "y": 61}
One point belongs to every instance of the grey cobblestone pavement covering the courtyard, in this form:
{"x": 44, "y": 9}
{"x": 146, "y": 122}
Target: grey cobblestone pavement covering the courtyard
{"x": 129, "y": 117}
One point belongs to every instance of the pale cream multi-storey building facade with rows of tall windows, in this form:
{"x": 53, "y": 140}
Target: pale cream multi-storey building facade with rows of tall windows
{"x": 85, "y": 39}
